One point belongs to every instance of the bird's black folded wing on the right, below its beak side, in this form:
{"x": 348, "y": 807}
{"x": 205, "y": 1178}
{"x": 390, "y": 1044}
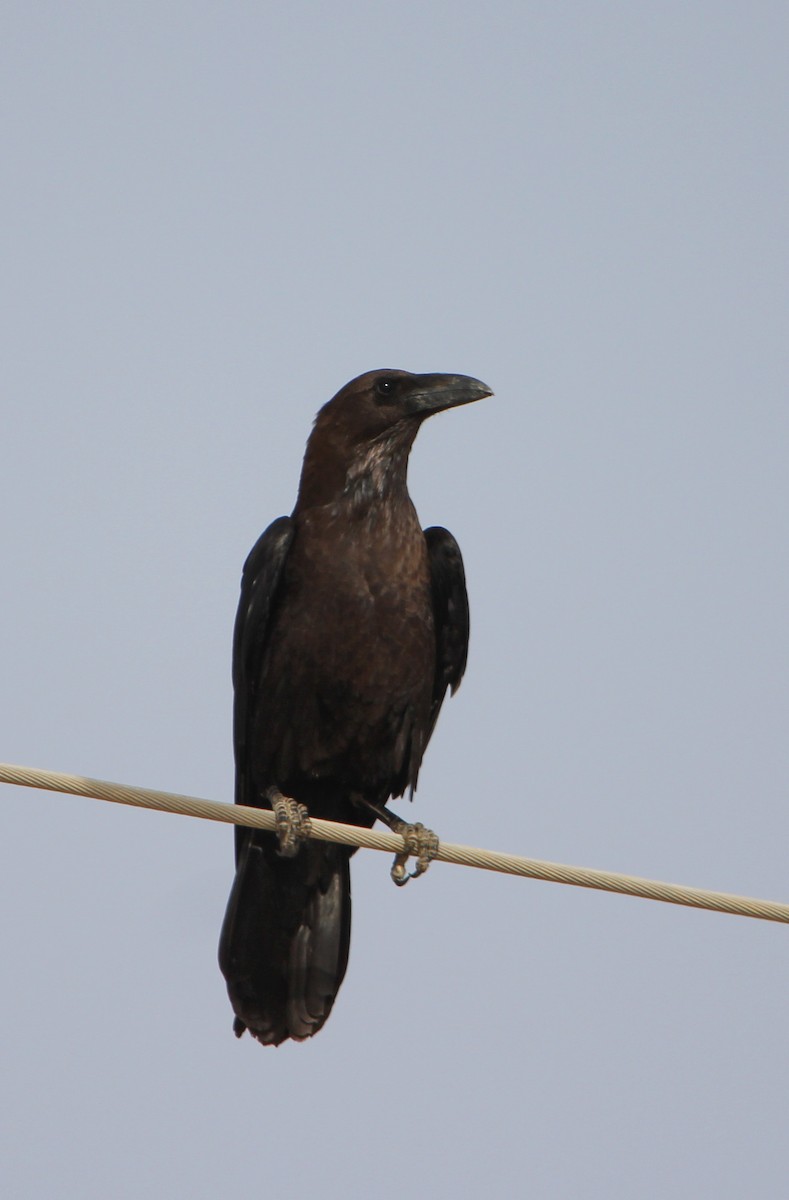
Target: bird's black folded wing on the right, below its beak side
{"x": 450, "y": 615}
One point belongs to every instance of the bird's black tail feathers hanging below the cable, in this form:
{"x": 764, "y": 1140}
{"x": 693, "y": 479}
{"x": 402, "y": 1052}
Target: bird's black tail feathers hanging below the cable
{"x": 285, "y": 941}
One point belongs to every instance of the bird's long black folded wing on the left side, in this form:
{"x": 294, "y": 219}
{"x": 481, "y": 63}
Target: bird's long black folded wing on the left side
{"x": 260, "y": 586}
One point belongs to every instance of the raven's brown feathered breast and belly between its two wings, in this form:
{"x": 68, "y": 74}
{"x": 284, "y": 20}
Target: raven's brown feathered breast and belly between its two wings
{"x": 353, "y": 657}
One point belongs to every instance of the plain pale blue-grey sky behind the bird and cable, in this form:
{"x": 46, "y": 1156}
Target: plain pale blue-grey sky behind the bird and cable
{"x": 213, "y": 217}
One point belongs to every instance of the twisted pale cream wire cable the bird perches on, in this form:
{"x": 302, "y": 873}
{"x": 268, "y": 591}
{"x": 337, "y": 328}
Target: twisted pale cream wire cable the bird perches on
{"x": 392, "y": 843}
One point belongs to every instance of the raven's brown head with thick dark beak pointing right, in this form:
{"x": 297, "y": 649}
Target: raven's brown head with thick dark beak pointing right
{"x": 365, "y": 434}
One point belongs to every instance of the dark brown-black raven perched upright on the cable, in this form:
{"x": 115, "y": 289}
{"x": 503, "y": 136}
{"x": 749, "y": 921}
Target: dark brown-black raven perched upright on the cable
{"x": 352, "y": 626}
